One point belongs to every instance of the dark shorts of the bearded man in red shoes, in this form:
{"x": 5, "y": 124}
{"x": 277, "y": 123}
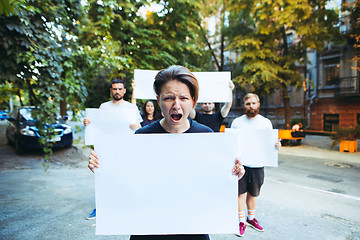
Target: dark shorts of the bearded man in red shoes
{"x": 252, "y": 181}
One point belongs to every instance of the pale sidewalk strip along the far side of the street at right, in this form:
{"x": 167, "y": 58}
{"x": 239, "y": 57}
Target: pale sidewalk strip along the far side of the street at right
{"x": 319, "y": 147}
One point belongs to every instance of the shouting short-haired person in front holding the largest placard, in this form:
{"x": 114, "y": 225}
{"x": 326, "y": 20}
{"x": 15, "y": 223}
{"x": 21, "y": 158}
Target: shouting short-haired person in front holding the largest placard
{"x": 177, "y": 93}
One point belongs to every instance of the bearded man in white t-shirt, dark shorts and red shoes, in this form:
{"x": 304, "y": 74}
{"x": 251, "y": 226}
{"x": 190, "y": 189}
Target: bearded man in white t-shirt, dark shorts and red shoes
{"x": 250, "y": 184}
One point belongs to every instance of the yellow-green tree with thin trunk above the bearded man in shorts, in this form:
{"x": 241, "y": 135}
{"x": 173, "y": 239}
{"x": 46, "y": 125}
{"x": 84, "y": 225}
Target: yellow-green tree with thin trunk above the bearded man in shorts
{"x": 260, "y": 30}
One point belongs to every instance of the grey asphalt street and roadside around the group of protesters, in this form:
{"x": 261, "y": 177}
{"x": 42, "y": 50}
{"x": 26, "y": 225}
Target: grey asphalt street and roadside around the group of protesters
{"x": 313, "y": 194}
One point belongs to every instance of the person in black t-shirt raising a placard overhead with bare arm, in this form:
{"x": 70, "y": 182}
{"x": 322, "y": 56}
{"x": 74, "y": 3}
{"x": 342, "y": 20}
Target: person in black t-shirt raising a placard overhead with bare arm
{"x": 211, "y": 118}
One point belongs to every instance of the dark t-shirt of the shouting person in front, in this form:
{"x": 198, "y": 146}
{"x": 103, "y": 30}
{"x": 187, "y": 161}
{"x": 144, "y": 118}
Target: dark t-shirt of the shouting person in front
{"x": 155, "y": 127}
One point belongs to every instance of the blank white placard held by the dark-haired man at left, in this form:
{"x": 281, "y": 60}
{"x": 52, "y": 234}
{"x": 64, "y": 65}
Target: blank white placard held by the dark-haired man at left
{"x": 108, "y": 122}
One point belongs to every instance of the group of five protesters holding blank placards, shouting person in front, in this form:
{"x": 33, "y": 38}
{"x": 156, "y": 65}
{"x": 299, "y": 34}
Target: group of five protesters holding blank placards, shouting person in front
{"x": 177, "y": 92}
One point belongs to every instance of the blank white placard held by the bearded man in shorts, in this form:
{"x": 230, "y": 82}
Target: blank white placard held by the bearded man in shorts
{"x": 256, "y": 147}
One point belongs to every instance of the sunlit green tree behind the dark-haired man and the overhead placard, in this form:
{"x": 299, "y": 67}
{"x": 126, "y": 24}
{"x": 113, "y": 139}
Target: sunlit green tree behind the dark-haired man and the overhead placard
{"x": 117, "y": 39}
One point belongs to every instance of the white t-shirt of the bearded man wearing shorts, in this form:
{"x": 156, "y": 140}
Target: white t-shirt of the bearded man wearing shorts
{"x": 258, "y": 122}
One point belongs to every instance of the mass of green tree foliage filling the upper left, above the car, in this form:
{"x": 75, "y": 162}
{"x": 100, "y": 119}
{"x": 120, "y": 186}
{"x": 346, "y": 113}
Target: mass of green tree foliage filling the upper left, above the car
{"x": 66, "y": 51}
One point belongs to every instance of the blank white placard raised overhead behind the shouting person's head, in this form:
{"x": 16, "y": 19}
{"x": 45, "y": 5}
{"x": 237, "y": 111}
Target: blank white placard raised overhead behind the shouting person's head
{"x": 213, "y": 86}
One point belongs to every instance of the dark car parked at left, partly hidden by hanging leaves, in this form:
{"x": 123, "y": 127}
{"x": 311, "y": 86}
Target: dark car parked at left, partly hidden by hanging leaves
{"x": 23, "y": 133}
